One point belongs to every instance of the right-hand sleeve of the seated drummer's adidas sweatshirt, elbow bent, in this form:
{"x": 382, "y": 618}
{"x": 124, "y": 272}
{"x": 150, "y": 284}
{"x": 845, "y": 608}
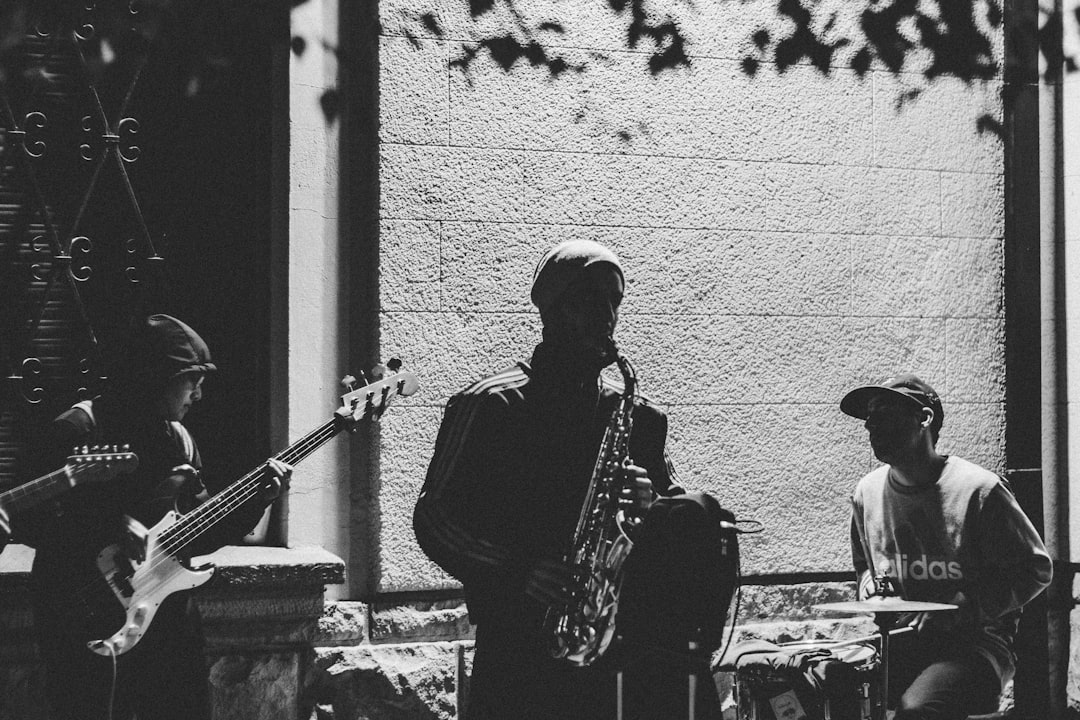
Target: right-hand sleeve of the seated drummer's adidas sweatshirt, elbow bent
{"x": 1018, "y": 565}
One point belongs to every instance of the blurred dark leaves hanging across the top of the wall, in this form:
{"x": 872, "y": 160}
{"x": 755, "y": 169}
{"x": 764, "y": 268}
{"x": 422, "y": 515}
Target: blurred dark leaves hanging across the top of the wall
{"x": 925, "y": 42}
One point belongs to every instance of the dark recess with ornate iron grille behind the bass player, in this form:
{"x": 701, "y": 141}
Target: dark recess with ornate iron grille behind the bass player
{"x": 126, "y": 128}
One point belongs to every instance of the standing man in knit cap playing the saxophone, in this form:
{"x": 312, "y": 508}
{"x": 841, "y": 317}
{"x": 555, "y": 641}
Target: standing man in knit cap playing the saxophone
{"x": 506, "y": 486}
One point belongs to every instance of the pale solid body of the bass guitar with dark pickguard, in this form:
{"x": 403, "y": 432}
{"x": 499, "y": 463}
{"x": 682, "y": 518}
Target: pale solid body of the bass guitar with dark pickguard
{"x": 143, "y": 587}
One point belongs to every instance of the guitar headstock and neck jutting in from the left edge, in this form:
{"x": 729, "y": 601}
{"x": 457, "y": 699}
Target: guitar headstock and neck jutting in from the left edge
{"x": 87, "y": 465}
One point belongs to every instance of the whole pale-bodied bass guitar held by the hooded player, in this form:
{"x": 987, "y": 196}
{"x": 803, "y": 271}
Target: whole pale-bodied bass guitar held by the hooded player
{"x": 141, "y": 586}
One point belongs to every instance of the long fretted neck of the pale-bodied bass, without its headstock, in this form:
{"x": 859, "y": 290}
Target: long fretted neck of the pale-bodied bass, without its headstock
{"x": 221, "y": 506}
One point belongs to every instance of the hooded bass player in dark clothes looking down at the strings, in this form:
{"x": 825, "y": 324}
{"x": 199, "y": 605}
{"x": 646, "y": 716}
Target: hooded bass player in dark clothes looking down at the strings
{"x": 166, "y": 676}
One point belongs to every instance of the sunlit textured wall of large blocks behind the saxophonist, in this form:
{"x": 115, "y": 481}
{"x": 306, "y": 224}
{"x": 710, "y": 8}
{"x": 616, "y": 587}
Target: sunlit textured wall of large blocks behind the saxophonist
{"x": 786, "y": 237}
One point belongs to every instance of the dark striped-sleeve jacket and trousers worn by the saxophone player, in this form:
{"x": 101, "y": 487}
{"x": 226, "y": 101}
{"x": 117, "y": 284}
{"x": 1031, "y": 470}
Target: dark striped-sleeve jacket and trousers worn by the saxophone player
{"x": 512, "y": 463}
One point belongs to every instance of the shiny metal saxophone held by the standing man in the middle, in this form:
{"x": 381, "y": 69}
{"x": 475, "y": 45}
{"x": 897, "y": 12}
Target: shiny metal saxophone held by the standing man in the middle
{"x": 580, "y": 632}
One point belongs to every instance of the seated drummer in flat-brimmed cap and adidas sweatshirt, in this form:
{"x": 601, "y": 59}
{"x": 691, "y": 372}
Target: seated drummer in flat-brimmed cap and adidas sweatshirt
{"x": 944, "y": 531}
